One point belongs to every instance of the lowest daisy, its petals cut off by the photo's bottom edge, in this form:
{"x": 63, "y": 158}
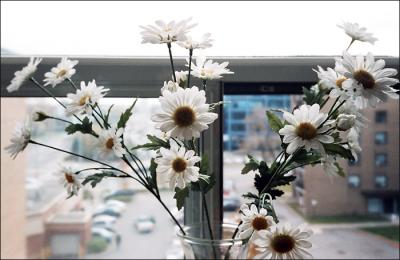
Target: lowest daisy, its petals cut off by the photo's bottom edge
{"x": 284, "y": 242}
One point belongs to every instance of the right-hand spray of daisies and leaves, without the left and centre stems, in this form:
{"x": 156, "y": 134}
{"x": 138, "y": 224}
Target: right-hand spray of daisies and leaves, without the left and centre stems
{"x": 321, "y": 131}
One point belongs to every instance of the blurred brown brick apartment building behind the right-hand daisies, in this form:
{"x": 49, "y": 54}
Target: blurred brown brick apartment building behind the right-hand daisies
{"x": 371, "y": 185}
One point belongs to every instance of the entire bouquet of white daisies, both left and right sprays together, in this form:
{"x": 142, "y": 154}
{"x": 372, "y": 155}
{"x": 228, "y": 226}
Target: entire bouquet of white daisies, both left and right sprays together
{"x": 321, "y": 131}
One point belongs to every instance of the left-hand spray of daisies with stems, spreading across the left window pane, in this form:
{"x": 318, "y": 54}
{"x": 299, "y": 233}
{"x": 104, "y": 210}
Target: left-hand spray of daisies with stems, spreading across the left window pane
{"x": 184, "y": 115}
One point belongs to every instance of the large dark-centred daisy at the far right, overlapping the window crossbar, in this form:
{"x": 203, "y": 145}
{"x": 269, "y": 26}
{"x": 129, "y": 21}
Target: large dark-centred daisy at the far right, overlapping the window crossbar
{"x": 368, "y": 79}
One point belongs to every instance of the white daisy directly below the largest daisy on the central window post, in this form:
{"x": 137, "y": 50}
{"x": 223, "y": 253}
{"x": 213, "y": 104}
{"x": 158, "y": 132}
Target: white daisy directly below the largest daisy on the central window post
{"x": 176, "y": 166}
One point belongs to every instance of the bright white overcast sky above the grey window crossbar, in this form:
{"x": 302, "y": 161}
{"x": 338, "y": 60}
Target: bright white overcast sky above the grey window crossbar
{"x": 239, "y": 28}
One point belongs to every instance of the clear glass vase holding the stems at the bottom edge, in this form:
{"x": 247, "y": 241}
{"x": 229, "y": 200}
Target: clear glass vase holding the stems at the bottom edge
{"x": 197, "y": 245}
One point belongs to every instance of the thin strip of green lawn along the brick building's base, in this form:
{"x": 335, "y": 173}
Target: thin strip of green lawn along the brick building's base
{"x": 338, "y": 219}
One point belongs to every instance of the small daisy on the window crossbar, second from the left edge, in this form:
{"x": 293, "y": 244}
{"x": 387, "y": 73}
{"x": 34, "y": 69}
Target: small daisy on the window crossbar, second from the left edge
{"x": 64, "y": 70}
